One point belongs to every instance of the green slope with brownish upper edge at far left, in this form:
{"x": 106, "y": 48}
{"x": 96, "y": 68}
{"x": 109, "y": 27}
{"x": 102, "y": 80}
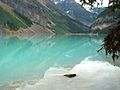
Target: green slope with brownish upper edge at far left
{"x": 11, "y": 19}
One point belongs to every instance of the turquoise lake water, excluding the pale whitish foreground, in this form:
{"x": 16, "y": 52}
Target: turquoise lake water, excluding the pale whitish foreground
{"x": 29, "y": 58}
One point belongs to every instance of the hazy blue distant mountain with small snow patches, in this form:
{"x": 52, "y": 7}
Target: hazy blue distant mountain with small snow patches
{"x": 74, "y": 10}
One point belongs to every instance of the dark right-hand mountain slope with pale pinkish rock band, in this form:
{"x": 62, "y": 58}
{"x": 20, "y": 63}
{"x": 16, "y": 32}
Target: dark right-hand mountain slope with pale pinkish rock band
{"x": 105, "y": 21}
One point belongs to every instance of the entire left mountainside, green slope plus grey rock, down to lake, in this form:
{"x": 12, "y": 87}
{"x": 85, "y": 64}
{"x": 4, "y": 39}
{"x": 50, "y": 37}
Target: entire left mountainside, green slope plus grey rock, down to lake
{"x": 37, "y": 16}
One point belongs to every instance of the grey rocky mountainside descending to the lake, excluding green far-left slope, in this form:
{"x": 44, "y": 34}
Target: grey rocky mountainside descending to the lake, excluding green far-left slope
{"x": 46, "y": 16}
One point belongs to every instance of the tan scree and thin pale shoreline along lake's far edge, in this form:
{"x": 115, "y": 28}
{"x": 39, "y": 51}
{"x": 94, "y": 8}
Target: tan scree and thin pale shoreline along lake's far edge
{"x": 36, "y": 30}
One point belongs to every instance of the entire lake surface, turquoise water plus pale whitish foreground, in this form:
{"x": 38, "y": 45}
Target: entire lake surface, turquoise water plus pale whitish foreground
{"x": 42, "y": 62}
